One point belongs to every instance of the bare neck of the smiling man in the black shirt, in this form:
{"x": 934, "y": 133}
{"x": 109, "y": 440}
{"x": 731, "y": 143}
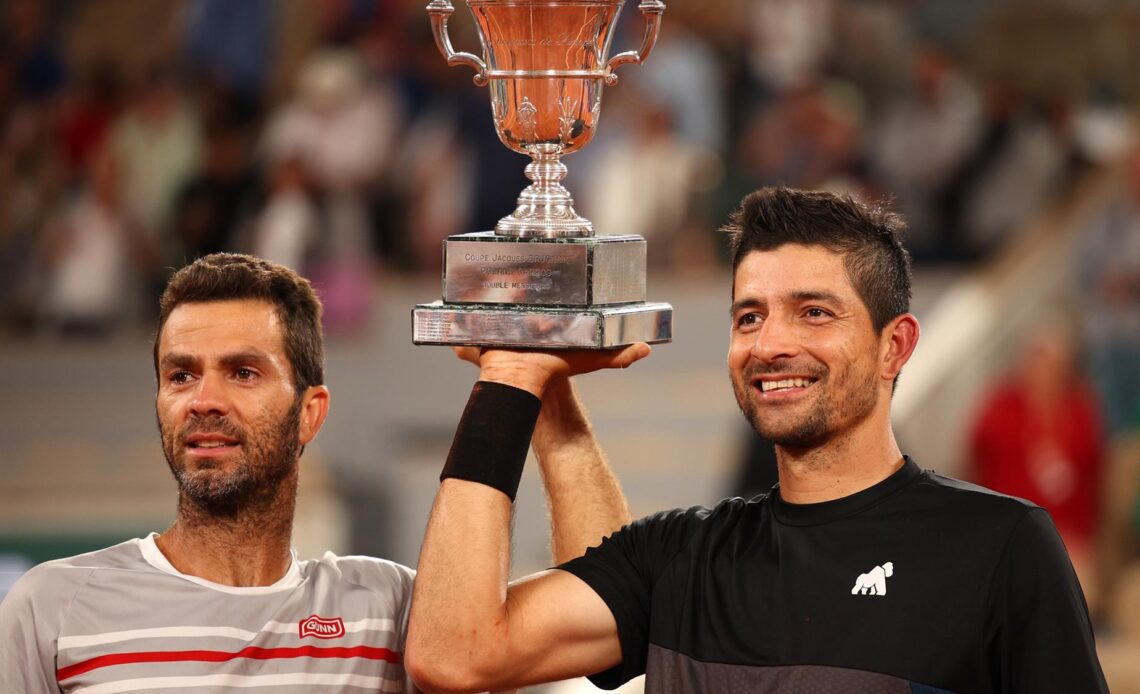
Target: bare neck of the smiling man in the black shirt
{"x": 840, "y": 468}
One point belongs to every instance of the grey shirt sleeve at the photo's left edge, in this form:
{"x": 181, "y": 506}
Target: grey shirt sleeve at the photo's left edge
{"x": 29, "y": 630}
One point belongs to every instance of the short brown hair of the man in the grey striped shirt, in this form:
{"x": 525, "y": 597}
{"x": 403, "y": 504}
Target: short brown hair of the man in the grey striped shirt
{"x": 235, "y": 276}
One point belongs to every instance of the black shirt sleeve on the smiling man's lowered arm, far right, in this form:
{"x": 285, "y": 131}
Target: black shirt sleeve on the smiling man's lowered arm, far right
{"x": 1043, "y": 638}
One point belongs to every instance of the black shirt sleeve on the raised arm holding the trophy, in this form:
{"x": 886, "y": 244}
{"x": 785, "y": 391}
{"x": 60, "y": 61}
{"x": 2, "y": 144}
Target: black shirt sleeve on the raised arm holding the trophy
{"x": 624, "y": 570}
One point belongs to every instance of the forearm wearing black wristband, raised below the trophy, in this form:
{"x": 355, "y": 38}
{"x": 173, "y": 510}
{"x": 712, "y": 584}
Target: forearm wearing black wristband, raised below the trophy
{"x": 459, "y": 616}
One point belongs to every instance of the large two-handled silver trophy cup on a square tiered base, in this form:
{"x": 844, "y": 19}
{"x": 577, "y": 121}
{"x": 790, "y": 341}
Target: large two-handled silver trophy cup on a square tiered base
{"x": 542, "y": 279}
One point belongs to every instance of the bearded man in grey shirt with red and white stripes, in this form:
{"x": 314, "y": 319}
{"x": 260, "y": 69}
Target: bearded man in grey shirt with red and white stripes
{"x": 219, "y": 602}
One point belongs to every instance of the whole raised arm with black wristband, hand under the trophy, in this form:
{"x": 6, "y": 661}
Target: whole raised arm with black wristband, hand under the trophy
{"x": 469, "y": 631}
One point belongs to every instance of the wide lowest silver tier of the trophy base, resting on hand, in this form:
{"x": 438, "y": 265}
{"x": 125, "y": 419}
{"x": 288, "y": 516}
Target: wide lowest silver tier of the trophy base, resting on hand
{"x": 542, "y": 328}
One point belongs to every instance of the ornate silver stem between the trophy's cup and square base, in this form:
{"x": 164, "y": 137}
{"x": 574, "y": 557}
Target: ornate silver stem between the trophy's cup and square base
{"x": 545, "y": 207}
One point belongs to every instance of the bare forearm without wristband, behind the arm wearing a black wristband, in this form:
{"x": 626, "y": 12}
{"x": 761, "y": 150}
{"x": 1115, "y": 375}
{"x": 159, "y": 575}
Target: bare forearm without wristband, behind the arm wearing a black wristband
{"x": 583, "y": 494}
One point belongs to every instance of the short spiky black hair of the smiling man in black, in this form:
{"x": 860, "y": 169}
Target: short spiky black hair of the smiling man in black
{"x": 866, "y": 235}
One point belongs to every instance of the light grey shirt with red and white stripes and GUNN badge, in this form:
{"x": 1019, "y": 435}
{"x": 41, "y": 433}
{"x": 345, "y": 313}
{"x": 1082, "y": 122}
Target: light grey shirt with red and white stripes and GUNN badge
{"x": 124, "y": 619}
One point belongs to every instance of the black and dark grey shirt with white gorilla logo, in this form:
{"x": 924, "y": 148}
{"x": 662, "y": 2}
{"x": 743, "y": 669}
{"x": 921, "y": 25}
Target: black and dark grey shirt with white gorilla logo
{"x": 921, "y": 584}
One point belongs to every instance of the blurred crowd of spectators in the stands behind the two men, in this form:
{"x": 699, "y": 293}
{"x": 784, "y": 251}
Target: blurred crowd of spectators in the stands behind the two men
{"x": 332, "y": 137}
